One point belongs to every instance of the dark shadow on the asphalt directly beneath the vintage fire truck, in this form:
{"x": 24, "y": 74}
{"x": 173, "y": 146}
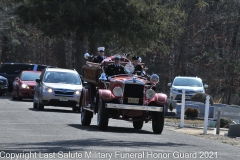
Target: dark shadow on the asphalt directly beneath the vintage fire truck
{"x": 110, "y": 129}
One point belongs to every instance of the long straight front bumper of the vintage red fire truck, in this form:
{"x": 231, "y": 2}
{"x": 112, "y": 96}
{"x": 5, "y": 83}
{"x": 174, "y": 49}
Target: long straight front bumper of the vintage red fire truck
{"x": 134, "y": 107}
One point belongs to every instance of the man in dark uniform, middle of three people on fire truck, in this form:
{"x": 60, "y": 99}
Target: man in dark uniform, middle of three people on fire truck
{"x": 114, "y": 68}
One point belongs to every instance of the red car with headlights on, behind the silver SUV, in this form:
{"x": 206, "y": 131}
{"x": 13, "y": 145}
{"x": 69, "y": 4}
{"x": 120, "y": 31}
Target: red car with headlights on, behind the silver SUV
{"x": 24, "y": 84}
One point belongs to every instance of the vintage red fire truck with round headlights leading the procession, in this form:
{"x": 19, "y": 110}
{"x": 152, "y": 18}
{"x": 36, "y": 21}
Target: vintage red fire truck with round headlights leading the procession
{"x": 126, "y": 97}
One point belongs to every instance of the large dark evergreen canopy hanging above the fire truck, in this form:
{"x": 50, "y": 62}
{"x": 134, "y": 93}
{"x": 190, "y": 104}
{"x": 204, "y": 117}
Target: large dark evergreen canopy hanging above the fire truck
{"x": 132, "y": 25}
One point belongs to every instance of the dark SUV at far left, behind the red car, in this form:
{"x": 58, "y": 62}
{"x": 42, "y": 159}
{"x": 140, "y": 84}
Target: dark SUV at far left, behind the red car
{"x": 12, "y": 70}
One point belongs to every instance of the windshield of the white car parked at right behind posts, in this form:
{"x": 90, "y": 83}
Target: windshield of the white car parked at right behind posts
{"x": 187, "y": 82}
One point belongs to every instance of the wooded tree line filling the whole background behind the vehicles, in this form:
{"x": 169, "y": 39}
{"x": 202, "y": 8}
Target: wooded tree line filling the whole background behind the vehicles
{"x": 178, "y": 37}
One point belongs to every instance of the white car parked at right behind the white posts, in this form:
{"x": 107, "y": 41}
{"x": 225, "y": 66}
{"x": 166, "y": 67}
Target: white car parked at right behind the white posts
{"x": 191, "y": 85}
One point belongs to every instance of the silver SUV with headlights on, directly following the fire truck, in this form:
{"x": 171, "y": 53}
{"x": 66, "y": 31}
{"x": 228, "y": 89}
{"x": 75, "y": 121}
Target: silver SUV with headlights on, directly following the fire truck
{"x": 58, "y": 87}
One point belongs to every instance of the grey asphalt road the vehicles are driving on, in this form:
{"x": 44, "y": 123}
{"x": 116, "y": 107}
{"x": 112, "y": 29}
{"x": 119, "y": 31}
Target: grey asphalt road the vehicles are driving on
{"x": 56, "y": 133}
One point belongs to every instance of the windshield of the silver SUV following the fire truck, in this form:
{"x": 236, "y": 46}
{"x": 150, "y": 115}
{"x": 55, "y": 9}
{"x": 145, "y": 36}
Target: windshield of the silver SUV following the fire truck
{"x": 62, "y": 77}
